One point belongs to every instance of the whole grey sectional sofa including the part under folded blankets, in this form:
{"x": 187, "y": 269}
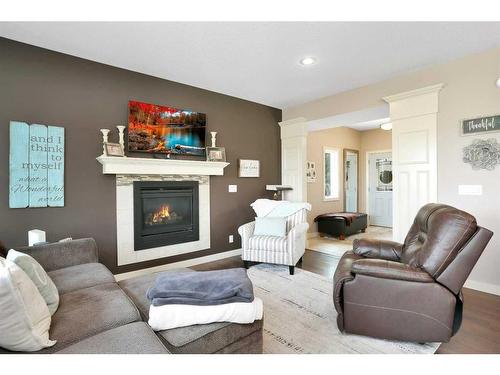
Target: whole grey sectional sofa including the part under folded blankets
{"x": 98, "y": 315}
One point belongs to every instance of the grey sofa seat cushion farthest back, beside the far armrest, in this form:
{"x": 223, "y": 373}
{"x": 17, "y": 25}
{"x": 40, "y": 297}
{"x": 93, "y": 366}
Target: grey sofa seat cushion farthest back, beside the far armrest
{"x": 82, "y": 276}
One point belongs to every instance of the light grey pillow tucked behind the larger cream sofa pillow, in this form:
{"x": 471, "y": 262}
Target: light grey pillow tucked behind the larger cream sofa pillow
{"x": 37, "y": 274}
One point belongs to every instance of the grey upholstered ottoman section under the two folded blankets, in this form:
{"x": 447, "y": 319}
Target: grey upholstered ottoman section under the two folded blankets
{"x": 198, "y": 339}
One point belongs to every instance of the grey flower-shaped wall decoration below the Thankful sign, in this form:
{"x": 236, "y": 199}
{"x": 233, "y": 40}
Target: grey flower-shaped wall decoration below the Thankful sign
{"x": 482, "y": 154}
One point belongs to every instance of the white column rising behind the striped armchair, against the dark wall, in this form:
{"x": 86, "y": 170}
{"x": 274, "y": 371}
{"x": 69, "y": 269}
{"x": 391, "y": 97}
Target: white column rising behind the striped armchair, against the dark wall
{"x": 293, "y": 158}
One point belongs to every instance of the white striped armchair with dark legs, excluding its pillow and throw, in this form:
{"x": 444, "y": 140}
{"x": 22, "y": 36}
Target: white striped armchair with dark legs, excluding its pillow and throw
{"x": 277, "y": 250}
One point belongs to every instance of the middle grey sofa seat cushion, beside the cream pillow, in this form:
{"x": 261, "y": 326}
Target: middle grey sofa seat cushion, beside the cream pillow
{"x": 86, "y": 312}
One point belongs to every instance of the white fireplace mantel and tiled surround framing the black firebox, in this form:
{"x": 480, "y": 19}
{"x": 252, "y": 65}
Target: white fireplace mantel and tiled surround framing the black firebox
{"x": 129, "y": 170}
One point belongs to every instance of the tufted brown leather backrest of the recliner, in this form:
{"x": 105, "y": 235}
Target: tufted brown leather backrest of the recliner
{"x": 436, "y": 237}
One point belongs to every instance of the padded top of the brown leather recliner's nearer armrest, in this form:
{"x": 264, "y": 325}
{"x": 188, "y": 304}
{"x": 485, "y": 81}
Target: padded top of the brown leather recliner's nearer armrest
{"x": 386, "y": 269}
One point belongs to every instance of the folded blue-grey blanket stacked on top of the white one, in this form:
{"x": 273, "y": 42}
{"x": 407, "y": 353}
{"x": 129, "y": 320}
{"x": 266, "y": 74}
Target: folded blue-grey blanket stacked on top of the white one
{"x": 203, "y": 288}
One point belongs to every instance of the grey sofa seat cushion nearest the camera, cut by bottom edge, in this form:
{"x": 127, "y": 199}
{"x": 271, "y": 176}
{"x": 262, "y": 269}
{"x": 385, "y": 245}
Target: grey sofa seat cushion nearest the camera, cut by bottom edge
{"x": 133, "y": 338}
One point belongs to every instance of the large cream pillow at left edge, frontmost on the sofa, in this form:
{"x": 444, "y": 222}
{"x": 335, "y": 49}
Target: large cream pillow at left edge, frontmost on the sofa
{"x": 24, "y": 315}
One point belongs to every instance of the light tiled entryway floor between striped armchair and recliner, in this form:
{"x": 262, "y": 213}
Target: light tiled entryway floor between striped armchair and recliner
{"x": 335, "y": 247}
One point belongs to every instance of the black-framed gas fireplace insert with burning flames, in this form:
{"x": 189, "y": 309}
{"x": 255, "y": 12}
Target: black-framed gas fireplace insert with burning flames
{"x": 165, "y": 213}
